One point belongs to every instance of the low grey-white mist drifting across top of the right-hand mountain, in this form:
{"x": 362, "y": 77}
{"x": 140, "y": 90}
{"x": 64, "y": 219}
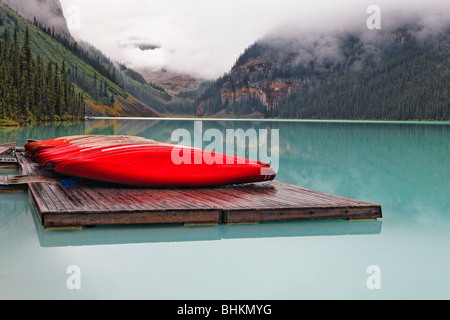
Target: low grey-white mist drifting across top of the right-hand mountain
{"x": 326, "y": 43}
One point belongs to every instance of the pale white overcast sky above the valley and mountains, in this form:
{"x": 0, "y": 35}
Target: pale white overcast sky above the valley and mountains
{"x": 205, "y": 37}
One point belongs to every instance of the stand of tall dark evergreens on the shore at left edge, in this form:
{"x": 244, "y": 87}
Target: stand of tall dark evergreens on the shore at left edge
{"x": 29, "y": 91}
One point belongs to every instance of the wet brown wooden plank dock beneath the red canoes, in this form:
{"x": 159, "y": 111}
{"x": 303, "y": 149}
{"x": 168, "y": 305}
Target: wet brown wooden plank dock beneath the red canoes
{"x": 63, "y": 202}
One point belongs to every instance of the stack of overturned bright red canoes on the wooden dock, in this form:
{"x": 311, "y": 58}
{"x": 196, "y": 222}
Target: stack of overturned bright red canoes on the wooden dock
{"x": 142, "y": 162}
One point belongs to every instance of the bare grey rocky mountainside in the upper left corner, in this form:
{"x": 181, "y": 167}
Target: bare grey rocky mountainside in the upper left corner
{"x": 47, "y": 12}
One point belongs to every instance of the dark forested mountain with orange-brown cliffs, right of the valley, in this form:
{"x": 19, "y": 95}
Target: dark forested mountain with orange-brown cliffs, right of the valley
{"x": 392, "y": 76}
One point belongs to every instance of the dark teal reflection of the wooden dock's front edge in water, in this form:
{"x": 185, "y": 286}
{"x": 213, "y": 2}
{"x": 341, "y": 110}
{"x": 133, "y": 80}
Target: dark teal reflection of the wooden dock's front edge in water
{"x": 111, "y": 235}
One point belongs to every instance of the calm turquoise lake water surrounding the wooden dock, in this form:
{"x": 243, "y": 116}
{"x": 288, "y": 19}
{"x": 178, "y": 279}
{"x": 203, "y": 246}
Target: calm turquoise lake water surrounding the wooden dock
{"x": 402, "y": 166}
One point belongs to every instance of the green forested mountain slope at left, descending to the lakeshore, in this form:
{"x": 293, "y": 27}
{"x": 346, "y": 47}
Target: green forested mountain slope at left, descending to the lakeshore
{"x": 90, "y": 75}
